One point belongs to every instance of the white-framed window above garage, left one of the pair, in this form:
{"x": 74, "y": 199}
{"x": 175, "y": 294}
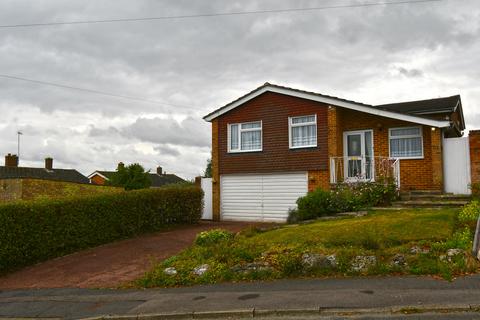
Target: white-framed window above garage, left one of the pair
{"x": 245, "y": 137}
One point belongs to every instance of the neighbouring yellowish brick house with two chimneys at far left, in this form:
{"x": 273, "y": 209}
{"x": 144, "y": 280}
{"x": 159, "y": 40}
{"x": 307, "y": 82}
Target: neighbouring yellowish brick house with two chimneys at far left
{"x": 26, "y": 183}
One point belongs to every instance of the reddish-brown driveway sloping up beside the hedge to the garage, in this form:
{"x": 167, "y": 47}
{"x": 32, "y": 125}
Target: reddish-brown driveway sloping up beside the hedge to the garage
{"x": 112, "y": 264}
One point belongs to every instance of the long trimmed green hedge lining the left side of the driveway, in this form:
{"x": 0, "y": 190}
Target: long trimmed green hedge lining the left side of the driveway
{"x": 34, "y": 231}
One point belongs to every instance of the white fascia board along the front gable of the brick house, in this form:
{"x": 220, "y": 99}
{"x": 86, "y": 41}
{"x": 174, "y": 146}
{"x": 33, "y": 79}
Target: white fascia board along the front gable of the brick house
{"x": 333, "y": 102}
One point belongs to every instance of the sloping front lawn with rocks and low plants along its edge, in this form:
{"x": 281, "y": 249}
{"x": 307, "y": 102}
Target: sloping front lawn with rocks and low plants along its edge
{"x": 383, "y": 242}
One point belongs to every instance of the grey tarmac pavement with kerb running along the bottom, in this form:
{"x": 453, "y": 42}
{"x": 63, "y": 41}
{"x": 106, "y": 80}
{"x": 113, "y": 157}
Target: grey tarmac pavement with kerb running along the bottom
{"x": 346, "y": 298}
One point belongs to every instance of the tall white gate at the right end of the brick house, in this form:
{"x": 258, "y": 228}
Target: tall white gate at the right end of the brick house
{"x": 456, "y": 165}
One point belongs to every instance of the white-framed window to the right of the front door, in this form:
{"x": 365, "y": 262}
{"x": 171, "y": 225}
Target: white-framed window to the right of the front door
{"x": 406, "y": 143}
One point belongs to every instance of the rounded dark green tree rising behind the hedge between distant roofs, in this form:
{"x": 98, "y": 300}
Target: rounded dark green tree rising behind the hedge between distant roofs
{"x": 131, "y": 177}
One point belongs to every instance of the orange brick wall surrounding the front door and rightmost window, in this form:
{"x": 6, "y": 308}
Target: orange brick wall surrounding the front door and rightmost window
{"x": 416, "y": 174}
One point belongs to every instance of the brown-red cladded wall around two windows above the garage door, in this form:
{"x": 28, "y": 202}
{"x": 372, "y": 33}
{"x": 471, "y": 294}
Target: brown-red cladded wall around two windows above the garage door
{"x": 274, "y": 109}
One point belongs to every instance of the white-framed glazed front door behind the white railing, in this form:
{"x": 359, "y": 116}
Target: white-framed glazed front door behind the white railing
{"x": 358, "y": 151}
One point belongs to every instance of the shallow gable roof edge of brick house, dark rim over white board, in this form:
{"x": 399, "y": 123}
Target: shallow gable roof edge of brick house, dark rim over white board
{"x": 349, "y": 104}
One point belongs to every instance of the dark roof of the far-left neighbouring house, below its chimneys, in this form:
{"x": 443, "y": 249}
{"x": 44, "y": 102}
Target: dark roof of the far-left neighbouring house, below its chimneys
{"x": 67, "y": 175}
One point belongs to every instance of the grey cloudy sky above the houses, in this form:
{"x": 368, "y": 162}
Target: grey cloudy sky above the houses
{"x": 188, "y": 67}
